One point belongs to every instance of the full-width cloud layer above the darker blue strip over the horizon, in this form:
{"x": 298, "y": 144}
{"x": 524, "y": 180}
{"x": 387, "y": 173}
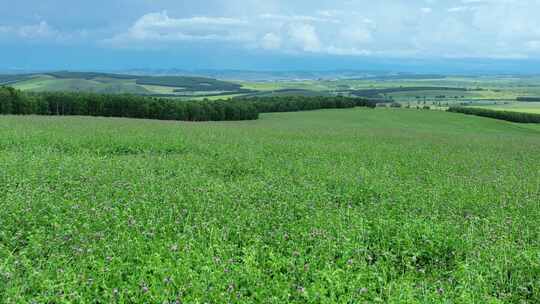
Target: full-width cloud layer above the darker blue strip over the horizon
{"x": 387, "y": 28}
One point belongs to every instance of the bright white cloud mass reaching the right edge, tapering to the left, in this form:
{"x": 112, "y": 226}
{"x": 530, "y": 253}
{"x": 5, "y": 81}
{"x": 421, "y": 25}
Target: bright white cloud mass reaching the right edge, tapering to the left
{"x": 436, "y": 28}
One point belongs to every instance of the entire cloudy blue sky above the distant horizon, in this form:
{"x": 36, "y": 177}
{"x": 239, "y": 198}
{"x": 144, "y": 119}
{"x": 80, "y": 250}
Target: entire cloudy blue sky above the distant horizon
{"x": 400, "y": 35}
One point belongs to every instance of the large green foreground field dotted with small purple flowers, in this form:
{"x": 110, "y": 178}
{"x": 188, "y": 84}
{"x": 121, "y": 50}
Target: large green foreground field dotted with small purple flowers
{"x": 331, "y": 206}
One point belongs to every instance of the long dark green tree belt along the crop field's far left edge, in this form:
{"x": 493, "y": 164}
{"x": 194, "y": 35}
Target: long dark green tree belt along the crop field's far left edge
{"x": 14, "y": 101}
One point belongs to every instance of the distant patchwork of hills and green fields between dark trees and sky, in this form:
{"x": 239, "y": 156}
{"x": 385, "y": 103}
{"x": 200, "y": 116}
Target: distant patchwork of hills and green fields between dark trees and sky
{"x": 409, "y": 89}
